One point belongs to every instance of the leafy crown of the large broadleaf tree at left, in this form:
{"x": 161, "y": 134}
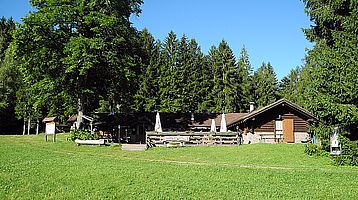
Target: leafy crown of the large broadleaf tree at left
{"x": 76, "y": 53}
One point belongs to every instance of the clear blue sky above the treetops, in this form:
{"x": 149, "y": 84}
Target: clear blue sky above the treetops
{"x": 269, "y": 29}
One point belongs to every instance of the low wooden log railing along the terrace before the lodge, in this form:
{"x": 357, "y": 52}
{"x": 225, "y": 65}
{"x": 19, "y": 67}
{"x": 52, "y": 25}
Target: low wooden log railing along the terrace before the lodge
{"x": 191, "y": 138}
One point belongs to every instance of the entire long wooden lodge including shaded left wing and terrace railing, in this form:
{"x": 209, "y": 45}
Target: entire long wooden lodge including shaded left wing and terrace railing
{"x": 282, "y": 121}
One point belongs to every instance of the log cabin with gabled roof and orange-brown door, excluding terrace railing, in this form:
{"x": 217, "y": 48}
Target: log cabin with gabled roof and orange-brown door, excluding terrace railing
{"x": 281, "y": 121}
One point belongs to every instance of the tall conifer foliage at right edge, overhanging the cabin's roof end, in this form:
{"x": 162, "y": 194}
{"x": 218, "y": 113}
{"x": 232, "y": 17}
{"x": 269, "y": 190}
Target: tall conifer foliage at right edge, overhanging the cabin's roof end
{"x": 330, "y": 77}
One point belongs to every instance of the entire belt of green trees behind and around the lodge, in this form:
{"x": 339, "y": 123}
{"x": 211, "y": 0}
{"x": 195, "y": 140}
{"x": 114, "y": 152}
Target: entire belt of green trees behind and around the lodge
{"x": 85, "y": 56}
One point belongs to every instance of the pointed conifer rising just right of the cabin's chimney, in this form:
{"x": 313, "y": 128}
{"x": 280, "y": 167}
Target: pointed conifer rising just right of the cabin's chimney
{"x": 265, "y": 85}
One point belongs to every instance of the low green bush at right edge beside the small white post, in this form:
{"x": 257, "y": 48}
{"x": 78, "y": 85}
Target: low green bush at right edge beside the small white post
{"x": 349, "y": 155}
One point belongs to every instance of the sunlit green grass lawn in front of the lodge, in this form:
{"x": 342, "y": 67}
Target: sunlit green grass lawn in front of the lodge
{"x": 31, "y": 168}
